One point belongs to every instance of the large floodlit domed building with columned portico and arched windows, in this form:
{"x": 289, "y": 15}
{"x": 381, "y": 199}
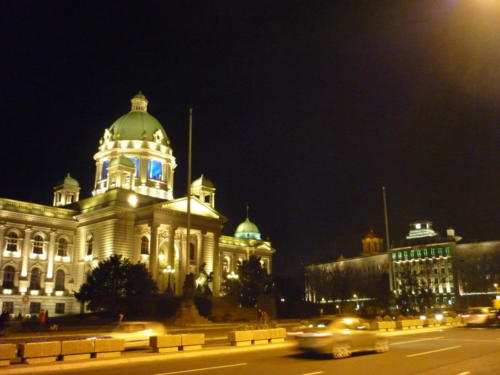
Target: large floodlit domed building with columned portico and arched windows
{"x": 47, "y": 251}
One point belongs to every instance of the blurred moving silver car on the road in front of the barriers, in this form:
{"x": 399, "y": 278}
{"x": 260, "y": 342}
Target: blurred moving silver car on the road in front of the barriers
{"x": 340, "y": 336}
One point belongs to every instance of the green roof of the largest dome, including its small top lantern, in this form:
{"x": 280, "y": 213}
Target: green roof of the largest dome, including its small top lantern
{"x": 138, "y": 124}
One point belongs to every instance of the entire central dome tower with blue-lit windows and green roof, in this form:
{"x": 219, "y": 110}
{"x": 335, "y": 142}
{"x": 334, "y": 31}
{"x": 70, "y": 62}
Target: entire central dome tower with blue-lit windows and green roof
{"x": 140, "y": 138}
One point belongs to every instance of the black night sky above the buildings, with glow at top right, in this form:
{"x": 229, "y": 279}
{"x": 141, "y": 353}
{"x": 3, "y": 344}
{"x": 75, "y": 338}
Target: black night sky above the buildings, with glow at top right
{"x": 304, "y": 109}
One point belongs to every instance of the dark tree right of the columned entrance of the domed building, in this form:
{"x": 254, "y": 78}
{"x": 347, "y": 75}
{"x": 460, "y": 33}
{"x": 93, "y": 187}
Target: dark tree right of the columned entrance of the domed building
{"x": 252, "y": 282}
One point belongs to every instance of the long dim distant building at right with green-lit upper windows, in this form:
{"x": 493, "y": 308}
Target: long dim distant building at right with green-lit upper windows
{"x": 454, "y": 274}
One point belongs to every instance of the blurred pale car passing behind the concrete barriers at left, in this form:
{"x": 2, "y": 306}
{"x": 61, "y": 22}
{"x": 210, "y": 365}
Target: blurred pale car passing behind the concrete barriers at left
{"x": 137, "y": 334}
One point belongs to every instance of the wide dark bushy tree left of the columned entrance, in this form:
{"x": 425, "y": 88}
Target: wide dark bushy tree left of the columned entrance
{"x": 114, "y": 281}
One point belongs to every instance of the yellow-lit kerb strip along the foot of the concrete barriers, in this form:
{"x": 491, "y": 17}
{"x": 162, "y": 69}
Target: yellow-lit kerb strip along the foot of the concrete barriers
{"x": 129, "y": 357}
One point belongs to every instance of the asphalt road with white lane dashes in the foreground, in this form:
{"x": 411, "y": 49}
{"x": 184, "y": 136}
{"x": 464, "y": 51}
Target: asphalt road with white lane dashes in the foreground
{"x": 456, "y": 351}
